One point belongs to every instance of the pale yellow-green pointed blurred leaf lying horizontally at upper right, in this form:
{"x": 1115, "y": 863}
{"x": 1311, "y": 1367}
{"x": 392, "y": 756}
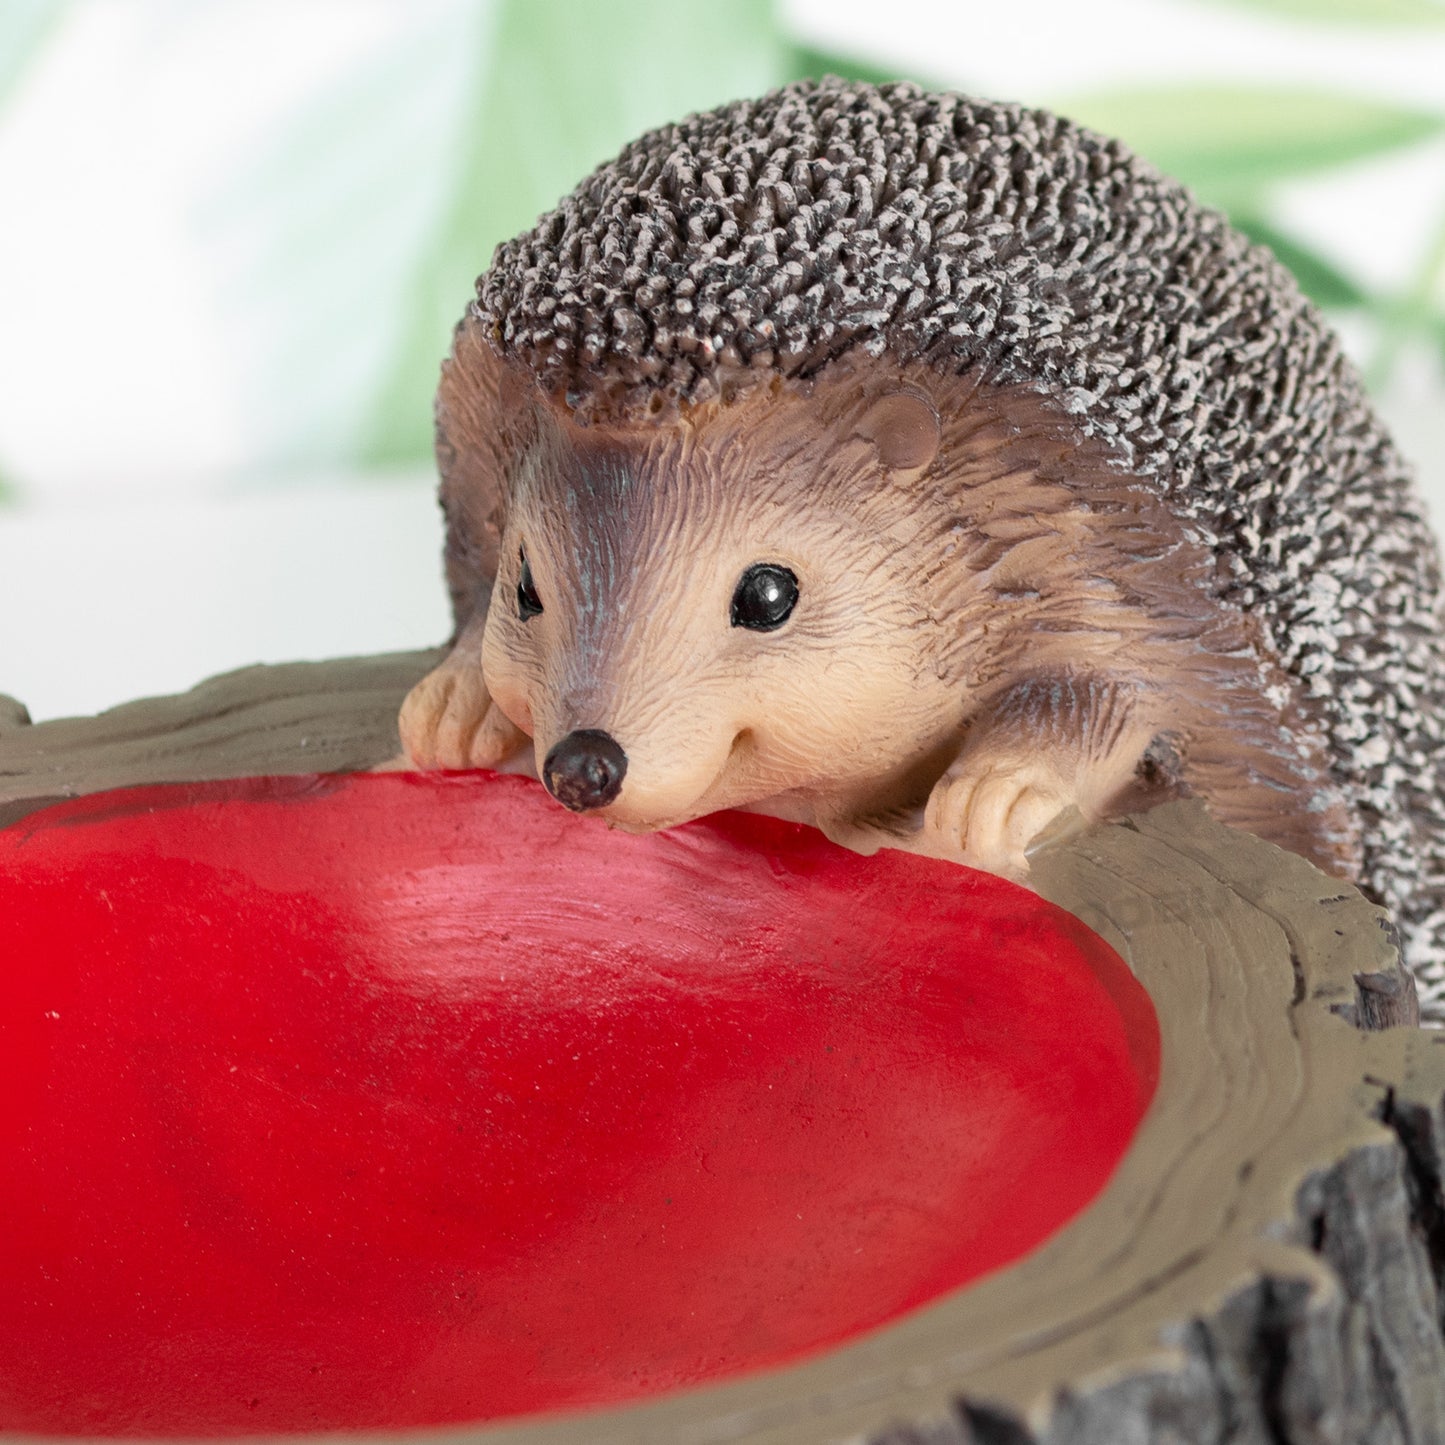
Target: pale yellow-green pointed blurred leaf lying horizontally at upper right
{"x": 1219, "y": 139}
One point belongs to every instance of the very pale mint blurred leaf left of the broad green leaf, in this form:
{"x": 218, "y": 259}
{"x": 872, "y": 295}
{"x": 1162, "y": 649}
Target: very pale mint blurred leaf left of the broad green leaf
{"x": 313, "y": 230}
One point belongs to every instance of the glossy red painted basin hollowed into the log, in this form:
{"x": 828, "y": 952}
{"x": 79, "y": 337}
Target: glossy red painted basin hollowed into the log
{"x": 388, "y": 1102}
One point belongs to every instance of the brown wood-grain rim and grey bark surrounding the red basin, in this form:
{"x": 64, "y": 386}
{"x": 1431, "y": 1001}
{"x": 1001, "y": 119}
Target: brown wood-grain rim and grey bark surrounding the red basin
{"x": 1265, "y": 1267}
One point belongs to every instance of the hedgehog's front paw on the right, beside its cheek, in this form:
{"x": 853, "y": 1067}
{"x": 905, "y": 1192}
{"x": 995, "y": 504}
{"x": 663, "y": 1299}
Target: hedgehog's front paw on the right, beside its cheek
{"x": 988, "y": 814}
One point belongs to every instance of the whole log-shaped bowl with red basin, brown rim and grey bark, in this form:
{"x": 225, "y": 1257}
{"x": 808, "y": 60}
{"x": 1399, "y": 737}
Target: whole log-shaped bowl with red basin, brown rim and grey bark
{"x": 335, "y": 1100}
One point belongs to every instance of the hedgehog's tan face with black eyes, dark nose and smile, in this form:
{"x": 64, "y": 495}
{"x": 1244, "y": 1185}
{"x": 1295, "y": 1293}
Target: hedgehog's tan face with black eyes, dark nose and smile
{"x": 712, "y": 613}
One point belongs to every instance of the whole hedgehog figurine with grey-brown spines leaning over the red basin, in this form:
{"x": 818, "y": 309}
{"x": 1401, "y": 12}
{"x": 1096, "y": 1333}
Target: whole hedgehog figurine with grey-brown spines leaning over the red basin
{"x": 928, "y": 469}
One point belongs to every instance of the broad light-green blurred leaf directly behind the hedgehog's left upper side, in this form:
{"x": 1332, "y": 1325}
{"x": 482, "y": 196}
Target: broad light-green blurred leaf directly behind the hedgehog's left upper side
{"x": 560, "y": 96}
